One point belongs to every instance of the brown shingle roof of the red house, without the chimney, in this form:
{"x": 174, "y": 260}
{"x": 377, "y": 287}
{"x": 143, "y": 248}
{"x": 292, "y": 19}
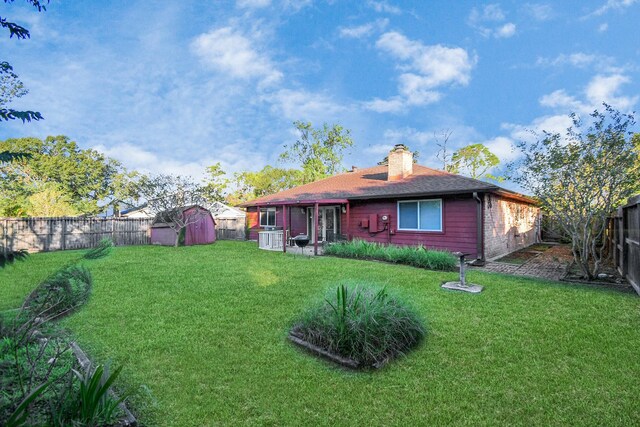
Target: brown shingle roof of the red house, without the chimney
{"x": 372, "y": 183}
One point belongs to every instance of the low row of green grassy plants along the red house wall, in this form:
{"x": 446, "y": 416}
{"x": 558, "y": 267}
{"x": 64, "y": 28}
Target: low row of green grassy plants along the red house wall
{"x": 417, "y": 256}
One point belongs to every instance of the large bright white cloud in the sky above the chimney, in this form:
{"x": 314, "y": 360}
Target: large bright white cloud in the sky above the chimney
{"x": 425, "y": 69}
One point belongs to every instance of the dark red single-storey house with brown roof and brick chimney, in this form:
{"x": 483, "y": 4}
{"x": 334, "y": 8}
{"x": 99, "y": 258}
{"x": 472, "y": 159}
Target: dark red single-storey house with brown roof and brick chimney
{"x": 401, "y": 203}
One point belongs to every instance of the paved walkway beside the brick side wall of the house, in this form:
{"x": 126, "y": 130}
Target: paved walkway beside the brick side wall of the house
{"x": 551, "y": 264}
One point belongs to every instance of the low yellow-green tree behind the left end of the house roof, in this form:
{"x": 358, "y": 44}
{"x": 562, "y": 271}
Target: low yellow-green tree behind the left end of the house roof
{"x": 268, "y": 180}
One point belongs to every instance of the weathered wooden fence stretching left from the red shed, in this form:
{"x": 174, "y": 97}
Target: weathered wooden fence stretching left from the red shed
{"x": 61, "y": 233}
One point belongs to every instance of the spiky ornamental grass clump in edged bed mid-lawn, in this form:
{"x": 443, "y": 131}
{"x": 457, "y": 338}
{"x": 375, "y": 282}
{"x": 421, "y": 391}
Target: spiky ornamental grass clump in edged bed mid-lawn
{"x": 365, "y": 324}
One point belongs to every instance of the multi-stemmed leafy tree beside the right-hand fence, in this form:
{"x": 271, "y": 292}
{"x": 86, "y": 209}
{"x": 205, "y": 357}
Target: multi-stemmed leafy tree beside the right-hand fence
{"x": 581, "y": 177}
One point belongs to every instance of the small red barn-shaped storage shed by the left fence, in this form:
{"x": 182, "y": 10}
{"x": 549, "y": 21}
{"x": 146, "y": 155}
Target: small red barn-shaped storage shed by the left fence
{"x": 199, "y": 227}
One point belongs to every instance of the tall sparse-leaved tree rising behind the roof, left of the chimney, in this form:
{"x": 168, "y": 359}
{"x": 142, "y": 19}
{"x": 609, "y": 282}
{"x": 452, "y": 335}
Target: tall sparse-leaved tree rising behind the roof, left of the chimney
{"x": 318, "y": 151}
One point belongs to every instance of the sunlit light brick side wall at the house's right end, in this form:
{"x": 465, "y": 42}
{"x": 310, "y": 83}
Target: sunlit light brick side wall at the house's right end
{"x": 509, "y": 225}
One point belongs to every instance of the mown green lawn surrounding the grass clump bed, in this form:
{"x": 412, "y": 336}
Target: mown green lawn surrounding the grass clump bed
{"x": 201, "y": 333}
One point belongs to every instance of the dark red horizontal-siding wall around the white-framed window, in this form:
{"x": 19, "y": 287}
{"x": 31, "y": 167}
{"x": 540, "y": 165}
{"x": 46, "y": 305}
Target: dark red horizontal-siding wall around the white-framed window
{"x": 459, "y": 230}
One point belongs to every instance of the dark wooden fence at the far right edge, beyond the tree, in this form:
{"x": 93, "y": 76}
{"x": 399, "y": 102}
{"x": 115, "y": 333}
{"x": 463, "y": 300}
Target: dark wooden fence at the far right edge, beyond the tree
{"x": 626, "y": 241}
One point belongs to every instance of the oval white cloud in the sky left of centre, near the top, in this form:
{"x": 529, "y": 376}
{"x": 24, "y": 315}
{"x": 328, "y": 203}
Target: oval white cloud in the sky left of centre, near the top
{"x": 228, "y": 51}
